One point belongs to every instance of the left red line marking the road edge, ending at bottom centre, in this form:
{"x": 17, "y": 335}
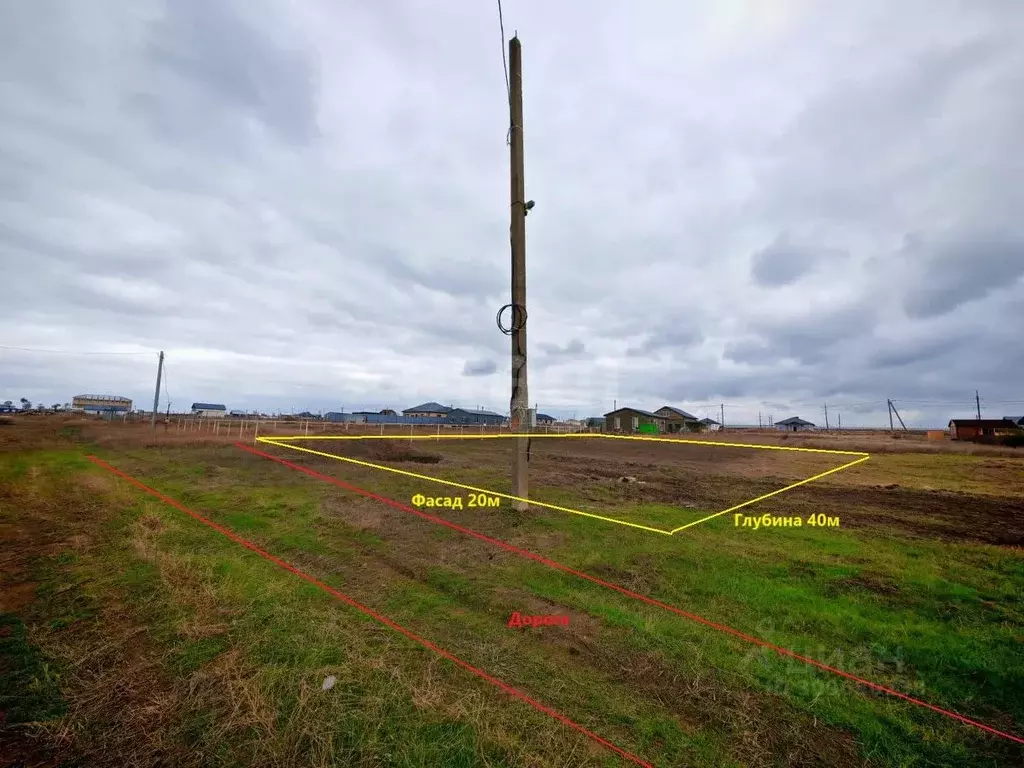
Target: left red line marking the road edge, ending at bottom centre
{"x": 374, "y": 615}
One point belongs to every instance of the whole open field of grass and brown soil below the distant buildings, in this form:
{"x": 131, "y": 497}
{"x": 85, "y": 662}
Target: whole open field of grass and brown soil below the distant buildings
{"x": 132, "y": 633}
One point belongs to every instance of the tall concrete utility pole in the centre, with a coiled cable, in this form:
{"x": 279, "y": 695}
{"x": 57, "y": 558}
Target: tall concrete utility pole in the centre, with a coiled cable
{"x": 520, "y": 420}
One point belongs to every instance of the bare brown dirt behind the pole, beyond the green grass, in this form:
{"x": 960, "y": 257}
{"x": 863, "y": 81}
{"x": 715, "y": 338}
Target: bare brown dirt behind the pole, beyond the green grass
{"x": 956, "y": 497}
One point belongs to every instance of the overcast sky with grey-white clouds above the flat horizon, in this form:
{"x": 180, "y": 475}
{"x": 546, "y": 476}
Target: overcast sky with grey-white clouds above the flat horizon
{"x": 769, "y": 204}
